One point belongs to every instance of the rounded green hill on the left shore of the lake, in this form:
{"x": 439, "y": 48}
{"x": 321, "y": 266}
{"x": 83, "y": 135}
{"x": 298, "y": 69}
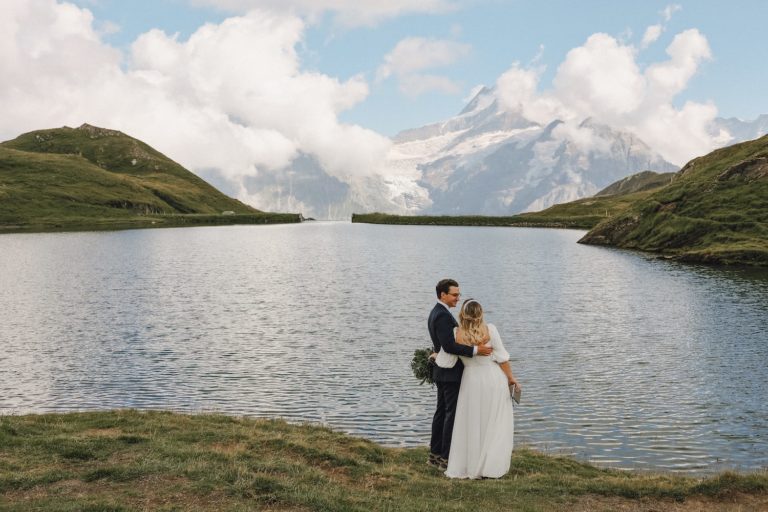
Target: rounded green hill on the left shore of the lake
{"x": 88, "y": 177}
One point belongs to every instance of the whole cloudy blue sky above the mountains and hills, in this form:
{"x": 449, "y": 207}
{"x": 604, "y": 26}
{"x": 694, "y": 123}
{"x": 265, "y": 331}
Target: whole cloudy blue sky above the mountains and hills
{"x": 244, "y": 86}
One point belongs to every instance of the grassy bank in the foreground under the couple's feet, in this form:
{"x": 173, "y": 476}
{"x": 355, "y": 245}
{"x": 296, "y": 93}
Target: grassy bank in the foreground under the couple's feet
{"x": 130, "y": 460}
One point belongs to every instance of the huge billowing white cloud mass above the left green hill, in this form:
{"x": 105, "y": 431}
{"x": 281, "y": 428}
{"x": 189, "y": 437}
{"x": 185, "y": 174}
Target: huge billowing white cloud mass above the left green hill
{"x": 232, "y": 97}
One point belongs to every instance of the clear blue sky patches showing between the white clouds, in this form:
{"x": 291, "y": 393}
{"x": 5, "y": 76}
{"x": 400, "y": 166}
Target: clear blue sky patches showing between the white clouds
{"x": 497, "y": 33}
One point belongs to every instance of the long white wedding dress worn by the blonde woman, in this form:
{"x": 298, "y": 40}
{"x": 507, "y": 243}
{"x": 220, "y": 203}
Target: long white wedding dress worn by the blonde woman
{"x": 484, "y": 428}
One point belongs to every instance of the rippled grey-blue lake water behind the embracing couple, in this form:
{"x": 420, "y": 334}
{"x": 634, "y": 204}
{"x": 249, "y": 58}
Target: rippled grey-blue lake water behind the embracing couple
{"x": 626, "y": 361}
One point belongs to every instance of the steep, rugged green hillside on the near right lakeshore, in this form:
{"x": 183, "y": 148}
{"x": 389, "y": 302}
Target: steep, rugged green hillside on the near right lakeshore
{"x": 715, "y": 210}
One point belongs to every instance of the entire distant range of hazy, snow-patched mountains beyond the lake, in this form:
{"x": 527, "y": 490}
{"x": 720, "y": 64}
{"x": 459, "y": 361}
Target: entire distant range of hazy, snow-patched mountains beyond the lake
{"x": 483, "y": 161}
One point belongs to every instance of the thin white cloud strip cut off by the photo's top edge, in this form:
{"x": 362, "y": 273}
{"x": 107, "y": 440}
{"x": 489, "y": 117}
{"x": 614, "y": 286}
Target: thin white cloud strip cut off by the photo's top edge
{"x": 348, "y": 12}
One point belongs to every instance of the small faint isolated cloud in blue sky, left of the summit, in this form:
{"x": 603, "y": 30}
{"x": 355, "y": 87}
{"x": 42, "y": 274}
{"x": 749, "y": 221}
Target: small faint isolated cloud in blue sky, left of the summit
{"x": 415, "y": 54}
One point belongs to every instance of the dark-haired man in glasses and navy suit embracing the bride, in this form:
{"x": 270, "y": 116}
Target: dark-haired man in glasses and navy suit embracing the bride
{"x": 448, "y": 380}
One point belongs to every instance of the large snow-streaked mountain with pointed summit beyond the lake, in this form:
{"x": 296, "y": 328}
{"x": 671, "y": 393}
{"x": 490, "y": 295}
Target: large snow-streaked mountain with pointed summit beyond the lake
{"x": 492, "y": 162}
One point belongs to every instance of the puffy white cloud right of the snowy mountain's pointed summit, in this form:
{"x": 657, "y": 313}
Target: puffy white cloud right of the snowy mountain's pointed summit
{"x": 603, "y": 81}
